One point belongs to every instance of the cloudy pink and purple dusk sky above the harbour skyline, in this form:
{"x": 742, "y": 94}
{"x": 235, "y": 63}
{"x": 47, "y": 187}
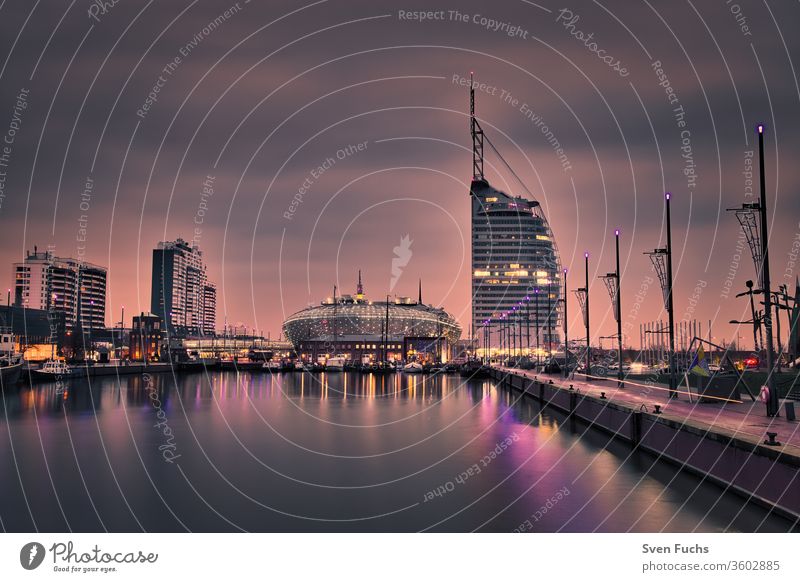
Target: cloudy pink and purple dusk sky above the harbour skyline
{"x": 298, "y": 143}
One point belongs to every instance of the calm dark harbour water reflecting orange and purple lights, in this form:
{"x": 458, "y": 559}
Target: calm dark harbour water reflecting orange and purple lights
{"x": 295, "y": 452}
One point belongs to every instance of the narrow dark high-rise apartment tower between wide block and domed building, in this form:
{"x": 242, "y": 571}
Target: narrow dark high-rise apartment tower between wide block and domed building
{"x": 181, "y": 293}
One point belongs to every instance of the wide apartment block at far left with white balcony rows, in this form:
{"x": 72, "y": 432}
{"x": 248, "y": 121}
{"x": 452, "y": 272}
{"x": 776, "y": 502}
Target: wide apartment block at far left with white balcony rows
{"x": 75, "y": 288}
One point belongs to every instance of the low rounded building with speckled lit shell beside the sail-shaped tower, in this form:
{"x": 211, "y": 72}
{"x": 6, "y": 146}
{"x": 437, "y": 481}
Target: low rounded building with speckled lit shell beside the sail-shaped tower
{"x": 355, "y": 327}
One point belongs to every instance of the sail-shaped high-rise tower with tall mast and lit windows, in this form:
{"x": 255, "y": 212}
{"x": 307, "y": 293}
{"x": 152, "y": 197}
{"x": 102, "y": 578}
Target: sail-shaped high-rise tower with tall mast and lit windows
{"x": 515, "y": 260}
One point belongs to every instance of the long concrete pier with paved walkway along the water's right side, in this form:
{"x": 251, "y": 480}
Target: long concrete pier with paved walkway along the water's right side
{"x": 721, "y": 442}
